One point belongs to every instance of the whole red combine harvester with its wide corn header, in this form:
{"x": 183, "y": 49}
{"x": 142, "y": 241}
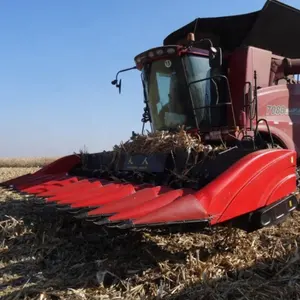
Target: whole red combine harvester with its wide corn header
{"x": 231, "y": 81}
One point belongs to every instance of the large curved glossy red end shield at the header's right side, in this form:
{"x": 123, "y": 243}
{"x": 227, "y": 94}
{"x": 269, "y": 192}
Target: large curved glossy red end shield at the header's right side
{"x": 252, "y": 173}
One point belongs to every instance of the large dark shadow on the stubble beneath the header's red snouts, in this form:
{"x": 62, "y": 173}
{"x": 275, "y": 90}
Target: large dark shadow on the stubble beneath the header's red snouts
{"x": 44, "y": 248}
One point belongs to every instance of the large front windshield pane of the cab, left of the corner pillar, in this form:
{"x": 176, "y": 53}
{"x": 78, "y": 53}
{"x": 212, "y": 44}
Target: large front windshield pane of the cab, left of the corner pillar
{"x": 168, "y": 96}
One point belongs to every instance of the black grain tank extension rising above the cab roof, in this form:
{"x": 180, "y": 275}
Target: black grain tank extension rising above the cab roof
{"x": 275, "y": 27}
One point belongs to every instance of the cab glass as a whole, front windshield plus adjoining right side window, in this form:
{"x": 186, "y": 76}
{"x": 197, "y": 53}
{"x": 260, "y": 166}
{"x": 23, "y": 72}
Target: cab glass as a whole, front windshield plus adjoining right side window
{"x": 172, "y": 103}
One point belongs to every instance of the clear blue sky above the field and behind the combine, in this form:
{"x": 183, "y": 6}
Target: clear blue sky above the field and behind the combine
{"x": 59, "y": 57}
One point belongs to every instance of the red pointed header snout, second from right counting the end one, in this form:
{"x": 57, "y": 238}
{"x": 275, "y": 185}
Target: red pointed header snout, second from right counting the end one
{"x": 138, "y": 209}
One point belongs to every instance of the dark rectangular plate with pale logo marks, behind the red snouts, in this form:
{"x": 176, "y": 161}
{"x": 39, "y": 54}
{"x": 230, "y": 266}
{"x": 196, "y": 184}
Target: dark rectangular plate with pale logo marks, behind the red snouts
{"x": 151, "y": 163}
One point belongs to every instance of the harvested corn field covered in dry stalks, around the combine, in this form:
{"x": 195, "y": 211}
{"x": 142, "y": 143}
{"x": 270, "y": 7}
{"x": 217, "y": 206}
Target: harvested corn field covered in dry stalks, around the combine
{"x": 46, "y": 257}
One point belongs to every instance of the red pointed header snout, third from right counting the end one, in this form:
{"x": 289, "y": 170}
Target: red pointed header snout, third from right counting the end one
{"x": 128, "y": 202}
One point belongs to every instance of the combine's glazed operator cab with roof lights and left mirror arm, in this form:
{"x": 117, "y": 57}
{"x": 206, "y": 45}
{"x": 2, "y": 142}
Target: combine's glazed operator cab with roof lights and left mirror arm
{"x": 183, "y": 85}
